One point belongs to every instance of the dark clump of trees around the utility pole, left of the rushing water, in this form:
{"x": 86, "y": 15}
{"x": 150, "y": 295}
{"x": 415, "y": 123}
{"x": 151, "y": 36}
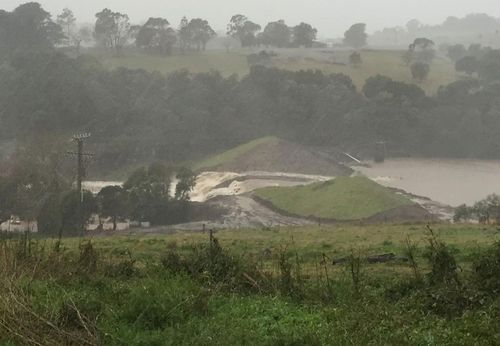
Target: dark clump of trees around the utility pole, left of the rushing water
{"x": 34, "y": 188}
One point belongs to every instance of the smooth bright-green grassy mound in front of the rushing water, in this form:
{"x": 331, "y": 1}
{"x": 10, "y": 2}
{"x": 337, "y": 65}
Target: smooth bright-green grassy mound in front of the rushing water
{"x": 345, "y": 198}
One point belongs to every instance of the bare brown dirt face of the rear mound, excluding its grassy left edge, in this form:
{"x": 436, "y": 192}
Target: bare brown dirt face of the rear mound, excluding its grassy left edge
{"x": 284, "y": 156}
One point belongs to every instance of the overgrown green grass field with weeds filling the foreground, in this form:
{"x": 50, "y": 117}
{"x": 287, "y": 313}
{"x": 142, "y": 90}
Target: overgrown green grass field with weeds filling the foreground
{"x": 267, "y": 287}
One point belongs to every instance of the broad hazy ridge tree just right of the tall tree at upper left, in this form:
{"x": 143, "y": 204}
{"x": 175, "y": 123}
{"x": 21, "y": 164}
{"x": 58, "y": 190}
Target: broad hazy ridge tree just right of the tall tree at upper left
{"x": 156, "y": 36}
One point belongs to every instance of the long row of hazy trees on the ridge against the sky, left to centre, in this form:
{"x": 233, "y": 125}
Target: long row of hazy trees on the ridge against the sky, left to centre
{"x": 113, "y": 31}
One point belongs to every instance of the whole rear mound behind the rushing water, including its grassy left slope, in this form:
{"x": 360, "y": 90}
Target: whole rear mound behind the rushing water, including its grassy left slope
{"x": 271, "y": 154}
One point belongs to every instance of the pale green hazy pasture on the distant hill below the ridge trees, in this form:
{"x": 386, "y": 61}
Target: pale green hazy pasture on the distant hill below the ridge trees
{"x": 385, "y": 62}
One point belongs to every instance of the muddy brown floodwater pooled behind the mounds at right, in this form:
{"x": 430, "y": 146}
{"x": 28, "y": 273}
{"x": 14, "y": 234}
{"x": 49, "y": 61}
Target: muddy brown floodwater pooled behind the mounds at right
{"x": 451, "y": 182}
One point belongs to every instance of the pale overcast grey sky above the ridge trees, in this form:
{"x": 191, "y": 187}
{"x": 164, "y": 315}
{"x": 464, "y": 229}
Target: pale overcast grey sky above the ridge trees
{"x": 330, "y": 17}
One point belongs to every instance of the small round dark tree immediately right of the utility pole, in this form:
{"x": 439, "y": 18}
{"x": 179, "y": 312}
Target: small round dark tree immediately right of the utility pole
{"x": 112, "y": 202}
